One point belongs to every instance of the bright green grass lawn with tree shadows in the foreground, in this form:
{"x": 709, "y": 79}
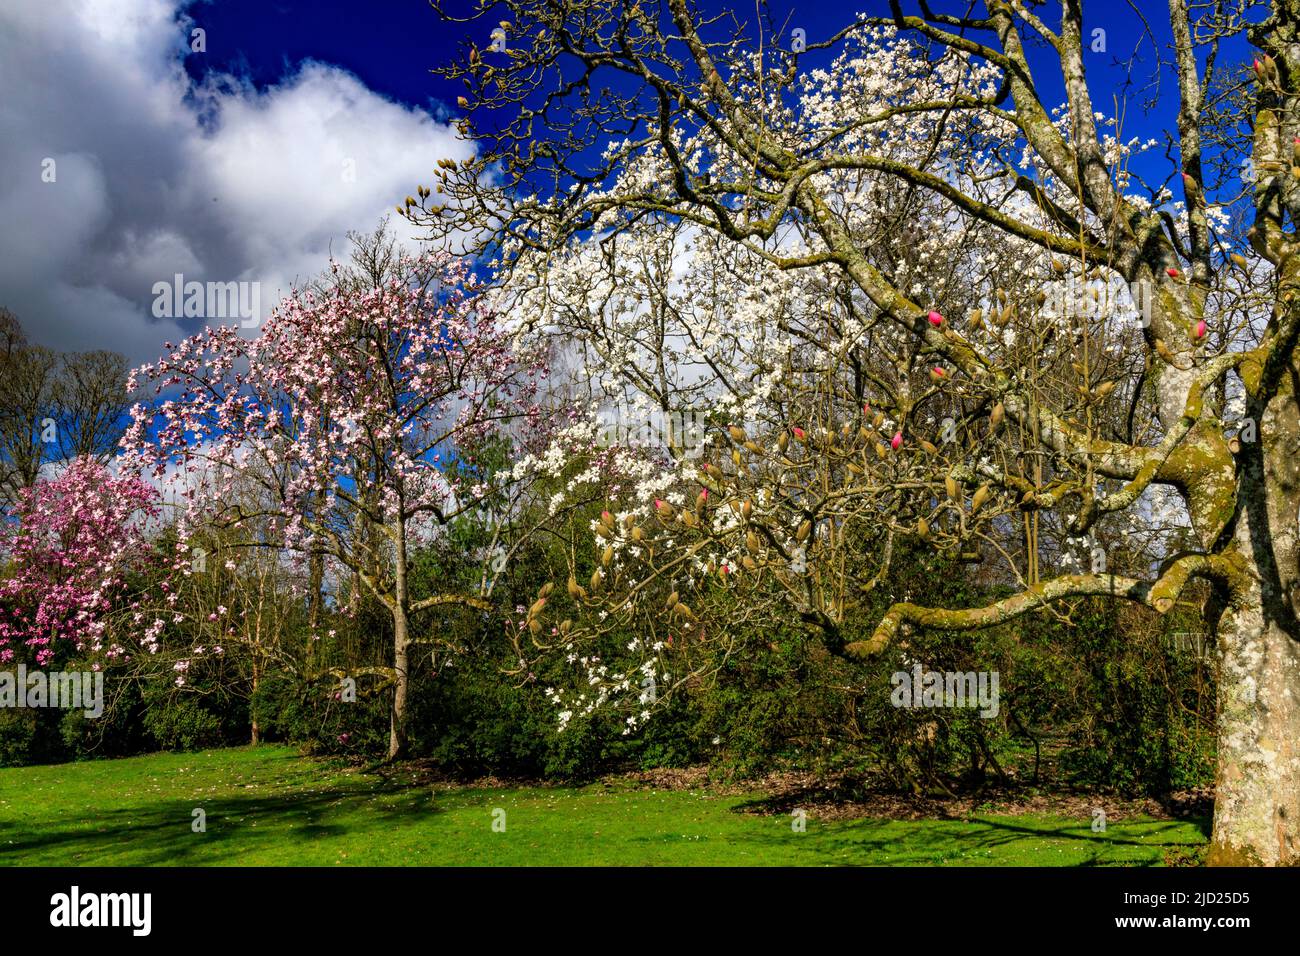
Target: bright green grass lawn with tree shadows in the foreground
{"x": 270, "y": 807}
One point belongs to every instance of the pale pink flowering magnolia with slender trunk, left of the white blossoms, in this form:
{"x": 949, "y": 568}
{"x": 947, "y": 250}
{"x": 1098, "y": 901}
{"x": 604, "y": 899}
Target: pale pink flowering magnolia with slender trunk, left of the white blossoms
{"x": 357, "y": 409}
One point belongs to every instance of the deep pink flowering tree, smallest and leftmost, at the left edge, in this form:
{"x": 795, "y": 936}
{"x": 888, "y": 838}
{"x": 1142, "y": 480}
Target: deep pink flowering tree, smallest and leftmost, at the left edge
{"x": 75, "y": 544}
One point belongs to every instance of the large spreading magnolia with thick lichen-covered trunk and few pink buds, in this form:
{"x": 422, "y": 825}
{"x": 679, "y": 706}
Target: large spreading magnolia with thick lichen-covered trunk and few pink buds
{"x": 895, "y": 171}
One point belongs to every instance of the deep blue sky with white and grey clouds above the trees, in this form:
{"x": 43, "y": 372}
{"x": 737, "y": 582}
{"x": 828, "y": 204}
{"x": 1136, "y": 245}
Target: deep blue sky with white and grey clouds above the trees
{"x": 231, "y": 165}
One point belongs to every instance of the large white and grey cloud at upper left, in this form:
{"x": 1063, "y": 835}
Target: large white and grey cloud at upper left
{"x": 158, "y": 176}
